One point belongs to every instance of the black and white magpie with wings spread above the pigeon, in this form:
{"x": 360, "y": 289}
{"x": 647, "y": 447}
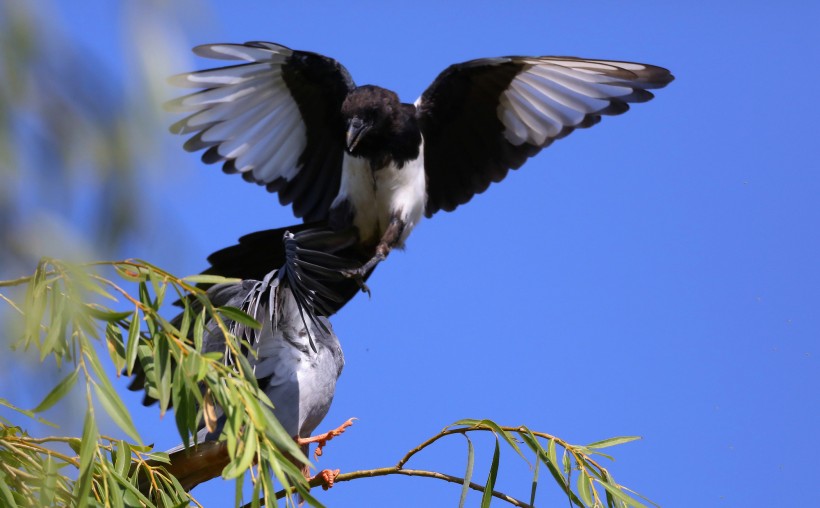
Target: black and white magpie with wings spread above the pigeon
{"x": 356, "y": 158}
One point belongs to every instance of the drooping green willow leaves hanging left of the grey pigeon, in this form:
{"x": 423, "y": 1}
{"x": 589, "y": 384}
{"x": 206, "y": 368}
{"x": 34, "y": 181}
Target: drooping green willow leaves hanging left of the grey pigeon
{"x": 60, "y": 322}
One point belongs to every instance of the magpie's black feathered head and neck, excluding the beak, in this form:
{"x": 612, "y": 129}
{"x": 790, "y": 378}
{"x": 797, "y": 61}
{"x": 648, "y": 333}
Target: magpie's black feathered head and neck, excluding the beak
{"x": 392, "y": 133}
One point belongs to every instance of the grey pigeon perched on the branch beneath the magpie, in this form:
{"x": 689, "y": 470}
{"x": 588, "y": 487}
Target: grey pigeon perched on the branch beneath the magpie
{"x": 296, "y": 356}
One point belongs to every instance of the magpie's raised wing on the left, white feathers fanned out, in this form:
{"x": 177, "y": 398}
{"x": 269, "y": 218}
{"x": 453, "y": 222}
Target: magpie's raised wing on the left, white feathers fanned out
{"x": 274, "y": 118}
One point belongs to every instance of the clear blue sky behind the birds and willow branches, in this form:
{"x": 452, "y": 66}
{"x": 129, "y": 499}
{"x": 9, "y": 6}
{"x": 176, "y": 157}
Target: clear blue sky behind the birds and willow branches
{"x": 656, "y": 275}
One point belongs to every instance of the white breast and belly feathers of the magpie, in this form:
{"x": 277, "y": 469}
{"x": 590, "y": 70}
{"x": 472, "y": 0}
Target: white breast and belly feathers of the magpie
{"x": 378, "y": 196}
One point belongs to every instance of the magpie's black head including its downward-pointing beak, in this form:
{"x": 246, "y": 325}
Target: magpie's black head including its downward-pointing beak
{"x": 368, "y": 112}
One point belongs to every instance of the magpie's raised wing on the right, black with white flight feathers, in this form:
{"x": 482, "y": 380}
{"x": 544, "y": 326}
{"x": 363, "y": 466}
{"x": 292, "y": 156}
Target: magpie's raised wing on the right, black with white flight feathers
{"x": 484, "y": 117}
